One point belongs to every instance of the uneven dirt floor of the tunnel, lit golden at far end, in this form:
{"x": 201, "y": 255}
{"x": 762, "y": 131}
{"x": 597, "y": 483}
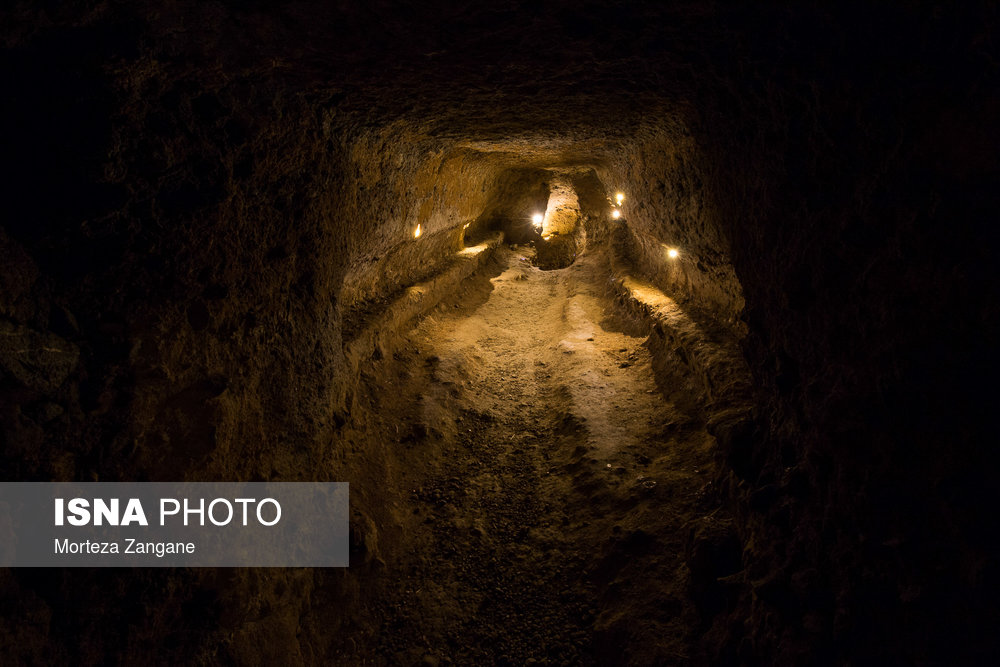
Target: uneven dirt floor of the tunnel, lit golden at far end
{"x": 549, "y": 490}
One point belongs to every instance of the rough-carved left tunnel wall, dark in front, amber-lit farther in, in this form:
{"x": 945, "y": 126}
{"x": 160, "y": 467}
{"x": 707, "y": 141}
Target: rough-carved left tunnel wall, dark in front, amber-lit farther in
{"x": 180, "y": 248}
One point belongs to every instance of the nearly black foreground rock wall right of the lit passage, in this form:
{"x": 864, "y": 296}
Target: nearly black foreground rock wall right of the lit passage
{"x": 858, "y": 218}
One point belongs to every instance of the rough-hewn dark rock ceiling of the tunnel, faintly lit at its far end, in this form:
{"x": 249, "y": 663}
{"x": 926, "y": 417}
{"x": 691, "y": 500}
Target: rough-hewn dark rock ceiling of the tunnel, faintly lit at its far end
{"x": 560, "y": 82}
